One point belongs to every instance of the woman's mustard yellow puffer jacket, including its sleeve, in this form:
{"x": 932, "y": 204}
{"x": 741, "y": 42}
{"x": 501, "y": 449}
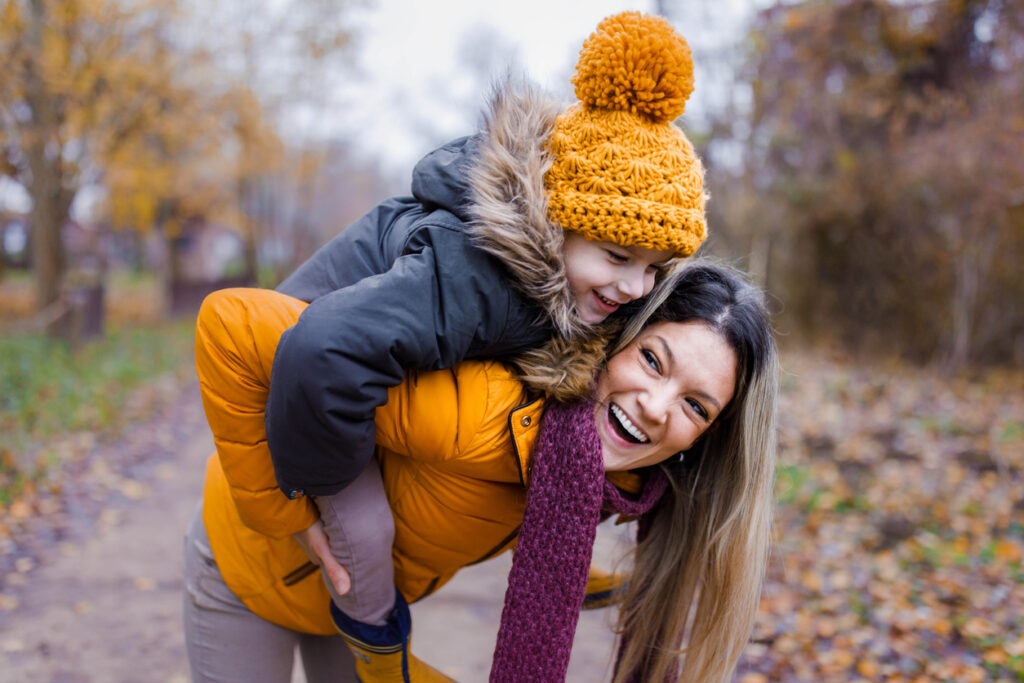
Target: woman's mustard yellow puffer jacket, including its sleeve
{"x": 454, "y": 448}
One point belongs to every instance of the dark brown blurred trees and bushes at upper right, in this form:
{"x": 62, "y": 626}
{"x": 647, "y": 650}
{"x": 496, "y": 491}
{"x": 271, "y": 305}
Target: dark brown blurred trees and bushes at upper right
{"x": 882, "y": 156}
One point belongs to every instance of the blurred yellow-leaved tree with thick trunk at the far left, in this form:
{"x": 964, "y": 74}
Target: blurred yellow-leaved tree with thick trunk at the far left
{"x": 80, "y": 79}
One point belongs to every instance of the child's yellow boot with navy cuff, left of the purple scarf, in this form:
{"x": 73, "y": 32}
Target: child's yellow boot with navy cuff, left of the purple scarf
{"x": 382, "y": 652}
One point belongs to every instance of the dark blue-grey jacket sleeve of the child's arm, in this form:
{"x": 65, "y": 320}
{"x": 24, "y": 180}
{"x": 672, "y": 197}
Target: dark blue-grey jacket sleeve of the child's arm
{"x": 441, "y": 303}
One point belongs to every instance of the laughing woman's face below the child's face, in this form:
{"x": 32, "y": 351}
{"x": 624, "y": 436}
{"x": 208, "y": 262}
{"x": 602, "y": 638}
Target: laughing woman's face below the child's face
{"x": 660, "y": 394}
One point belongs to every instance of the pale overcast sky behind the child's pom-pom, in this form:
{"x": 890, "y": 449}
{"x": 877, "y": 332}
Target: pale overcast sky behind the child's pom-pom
{"x": 421, "y": 70}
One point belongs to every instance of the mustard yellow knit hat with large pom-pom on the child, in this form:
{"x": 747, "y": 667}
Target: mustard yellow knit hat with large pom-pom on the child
{"x": 622, "y": 172}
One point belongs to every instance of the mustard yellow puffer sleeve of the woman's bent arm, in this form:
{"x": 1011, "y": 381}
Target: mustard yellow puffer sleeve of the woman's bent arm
{"x": 237, "y": 333}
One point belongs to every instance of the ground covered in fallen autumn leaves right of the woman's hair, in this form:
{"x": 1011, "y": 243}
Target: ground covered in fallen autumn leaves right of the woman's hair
{"x": 900, "y": 538}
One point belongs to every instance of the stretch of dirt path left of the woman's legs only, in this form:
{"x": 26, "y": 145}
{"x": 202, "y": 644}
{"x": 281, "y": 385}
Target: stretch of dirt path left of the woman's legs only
{"x": 106, "y": 606}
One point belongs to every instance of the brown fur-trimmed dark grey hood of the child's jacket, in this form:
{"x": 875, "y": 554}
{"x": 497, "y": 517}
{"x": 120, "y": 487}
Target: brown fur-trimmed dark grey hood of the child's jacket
{"x": 495, "y": 183}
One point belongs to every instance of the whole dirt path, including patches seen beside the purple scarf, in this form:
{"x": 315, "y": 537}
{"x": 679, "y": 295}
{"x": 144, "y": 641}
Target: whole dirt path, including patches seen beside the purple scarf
{"x": 102, "y": 601}
